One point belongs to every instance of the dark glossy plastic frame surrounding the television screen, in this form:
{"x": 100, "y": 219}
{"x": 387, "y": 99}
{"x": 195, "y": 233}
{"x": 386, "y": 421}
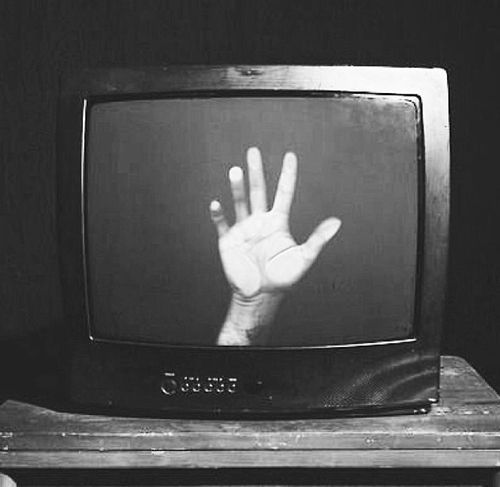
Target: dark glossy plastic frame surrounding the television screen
{"x": 363, "y": 378}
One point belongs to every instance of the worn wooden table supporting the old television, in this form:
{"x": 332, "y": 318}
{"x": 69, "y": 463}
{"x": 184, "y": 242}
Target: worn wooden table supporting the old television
{"x": 461, "y": 432}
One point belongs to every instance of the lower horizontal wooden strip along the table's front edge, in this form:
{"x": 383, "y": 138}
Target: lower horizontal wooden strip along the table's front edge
{"x": 253, "y": 459}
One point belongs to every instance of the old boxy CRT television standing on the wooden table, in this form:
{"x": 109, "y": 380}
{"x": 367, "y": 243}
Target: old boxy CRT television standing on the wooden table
{"x": 254, "y": 240}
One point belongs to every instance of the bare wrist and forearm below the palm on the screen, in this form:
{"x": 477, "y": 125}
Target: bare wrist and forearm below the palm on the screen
{"x": 248, "y": 319}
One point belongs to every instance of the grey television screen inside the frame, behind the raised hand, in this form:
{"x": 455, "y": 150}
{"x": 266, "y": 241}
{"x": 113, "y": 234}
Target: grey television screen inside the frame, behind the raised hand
{"x": 156, "y": 271}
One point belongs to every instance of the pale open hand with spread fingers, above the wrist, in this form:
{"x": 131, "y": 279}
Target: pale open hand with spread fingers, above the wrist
{"x": 258, "y": 253}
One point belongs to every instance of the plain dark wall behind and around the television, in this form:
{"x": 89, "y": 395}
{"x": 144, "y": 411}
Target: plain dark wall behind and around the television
{"x": 40, "y": 40}
